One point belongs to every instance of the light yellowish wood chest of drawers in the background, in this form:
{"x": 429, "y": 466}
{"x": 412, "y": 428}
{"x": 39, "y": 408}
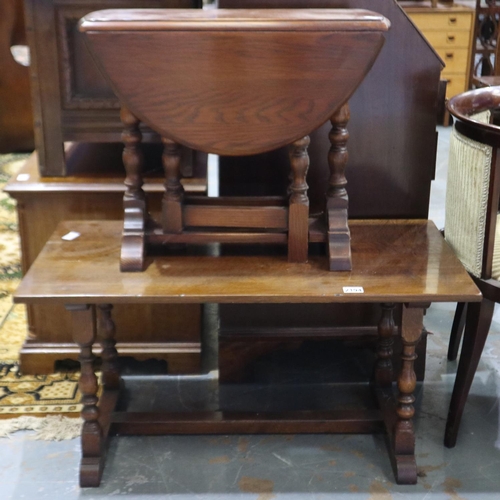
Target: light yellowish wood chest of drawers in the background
{"x": 449, "y": 30}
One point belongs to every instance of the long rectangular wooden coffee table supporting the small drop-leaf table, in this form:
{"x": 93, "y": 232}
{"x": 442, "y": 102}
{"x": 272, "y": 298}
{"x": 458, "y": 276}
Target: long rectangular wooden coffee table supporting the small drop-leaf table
{"x": 396, "y": 262}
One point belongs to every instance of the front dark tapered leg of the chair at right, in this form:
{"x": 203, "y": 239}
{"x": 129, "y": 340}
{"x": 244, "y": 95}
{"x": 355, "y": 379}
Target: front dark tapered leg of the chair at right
{"x": 477, "y": 325}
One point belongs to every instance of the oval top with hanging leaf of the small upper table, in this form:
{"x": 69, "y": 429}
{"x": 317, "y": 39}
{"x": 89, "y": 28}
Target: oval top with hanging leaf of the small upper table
{"x": 234, "y": 82}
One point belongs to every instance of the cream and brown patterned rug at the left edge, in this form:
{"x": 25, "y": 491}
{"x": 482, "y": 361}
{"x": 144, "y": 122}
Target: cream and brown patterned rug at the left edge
{"x": 23, "y": 394}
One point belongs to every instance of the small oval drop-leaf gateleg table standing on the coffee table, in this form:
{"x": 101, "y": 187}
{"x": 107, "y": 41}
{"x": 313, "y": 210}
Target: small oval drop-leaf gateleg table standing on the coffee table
{"x": 235, "y": 82}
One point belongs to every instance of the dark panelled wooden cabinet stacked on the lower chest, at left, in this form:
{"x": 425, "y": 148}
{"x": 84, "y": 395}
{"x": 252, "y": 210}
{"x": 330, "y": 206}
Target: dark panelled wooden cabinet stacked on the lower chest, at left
{"x": 71, "y": 99}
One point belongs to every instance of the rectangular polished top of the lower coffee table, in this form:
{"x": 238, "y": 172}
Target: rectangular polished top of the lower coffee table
{"x": 394, "y": 261}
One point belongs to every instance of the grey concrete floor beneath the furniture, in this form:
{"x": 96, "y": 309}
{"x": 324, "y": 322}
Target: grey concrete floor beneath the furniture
{"x": 301, "y": 467}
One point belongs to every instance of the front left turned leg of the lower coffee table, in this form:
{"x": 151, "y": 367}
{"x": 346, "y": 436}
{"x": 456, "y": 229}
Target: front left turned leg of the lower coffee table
{"x": 84, "y": 333}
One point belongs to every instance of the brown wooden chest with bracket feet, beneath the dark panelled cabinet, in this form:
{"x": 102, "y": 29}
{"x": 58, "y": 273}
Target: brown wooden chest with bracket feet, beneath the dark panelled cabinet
{"x": 94, "y": 191}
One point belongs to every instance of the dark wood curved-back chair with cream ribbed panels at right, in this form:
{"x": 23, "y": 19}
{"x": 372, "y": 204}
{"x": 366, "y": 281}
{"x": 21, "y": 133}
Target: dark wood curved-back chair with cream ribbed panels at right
{"x": 471, "y": 228}
